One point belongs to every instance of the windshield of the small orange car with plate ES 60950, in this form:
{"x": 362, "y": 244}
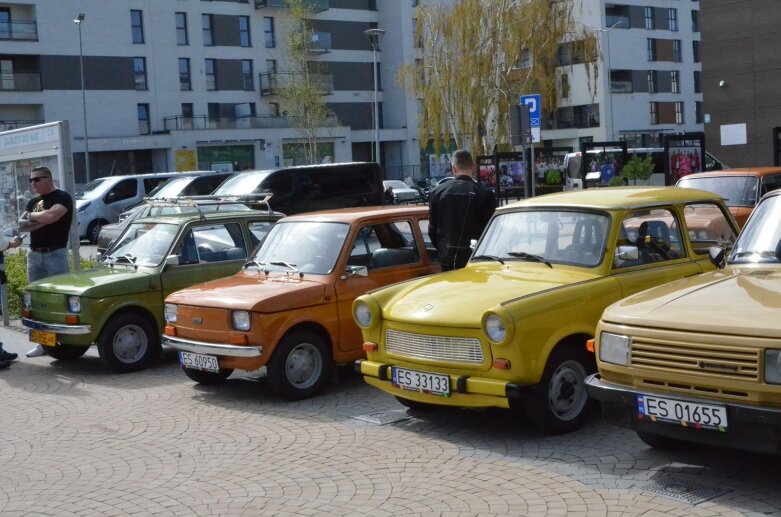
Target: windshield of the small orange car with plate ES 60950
{"x": 303, "y": 246}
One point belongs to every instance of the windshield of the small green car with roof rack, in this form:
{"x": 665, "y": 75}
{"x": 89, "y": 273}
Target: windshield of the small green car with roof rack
{"x": 143, "y": 244}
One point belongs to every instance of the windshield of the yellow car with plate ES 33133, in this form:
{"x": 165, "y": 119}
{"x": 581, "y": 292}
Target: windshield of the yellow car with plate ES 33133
{"x": 553, "y": 236}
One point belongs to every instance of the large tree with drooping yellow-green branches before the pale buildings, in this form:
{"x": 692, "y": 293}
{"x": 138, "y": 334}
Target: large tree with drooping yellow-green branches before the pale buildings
{"x": 471, "y": 70}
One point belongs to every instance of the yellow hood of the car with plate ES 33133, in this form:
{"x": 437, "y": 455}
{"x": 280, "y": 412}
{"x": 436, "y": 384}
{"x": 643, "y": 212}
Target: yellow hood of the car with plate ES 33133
{"x": 459, "y": 298}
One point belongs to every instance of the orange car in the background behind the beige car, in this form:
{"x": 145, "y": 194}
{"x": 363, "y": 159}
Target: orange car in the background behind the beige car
{"x": 742, "y": 188}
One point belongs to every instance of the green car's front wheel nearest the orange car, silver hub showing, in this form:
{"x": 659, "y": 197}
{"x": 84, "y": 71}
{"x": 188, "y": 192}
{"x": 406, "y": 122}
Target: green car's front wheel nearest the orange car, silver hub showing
{"x": 128, "y": 342}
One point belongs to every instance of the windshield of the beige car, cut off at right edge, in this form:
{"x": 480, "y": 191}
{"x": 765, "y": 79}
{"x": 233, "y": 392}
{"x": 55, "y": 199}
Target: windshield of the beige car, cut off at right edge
{"x": 760, "y": 240}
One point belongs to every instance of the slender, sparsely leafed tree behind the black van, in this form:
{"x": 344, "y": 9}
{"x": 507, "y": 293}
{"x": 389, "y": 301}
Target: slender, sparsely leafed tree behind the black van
{"x": 302, "y": 92}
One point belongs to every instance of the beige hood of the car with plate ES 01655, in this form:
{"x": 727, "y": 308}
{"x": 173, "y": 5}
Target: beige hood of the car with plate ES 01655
{"x": 737, "y": 300}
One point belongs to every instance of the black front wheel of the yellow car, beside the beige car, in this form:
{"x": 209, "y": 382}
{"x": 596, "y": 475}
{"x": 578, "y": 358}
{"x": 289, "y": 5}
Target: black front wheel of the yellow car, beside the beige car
{"x": 560, "y": 404}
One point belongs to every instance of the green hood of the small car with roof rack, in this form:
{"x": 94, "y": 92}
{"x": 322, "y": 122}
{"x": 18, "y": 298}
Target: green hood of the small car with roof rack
{"x": 100, "y": 282}
